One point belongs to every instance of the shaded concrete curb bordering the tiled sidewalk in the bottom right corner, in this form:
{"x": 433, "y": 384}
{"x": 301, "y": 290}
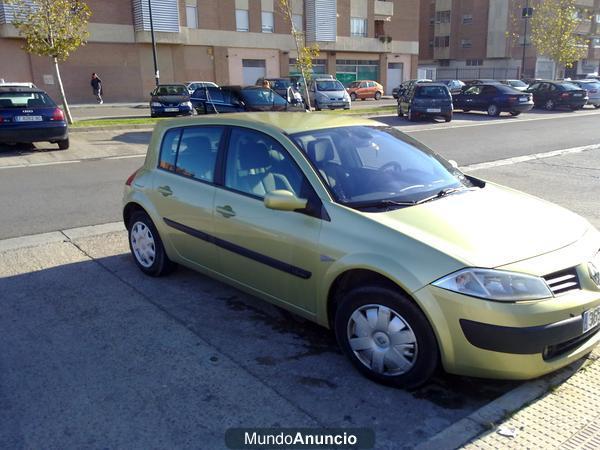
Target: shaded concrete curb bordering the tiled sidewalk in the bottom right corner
{"x": 486, "y": 417}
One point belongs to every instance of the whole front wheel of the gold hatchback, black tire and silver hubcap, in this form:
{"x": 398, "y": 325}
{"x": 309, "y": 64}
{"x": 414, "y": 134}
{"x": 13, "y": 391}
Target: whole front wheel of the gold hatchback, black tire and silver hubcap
{"x": 386, "y": 336}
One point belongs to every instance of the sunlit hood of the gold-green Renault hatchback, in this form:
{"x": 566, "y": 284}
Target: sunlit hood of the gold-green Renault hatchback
{"x": 488, "y": 227}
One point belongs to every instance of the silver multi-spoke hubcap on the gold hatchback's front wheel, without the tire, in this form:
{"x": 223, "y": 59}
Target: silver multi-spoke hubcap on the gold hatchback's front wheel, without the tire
{"x": 382, "y": 340}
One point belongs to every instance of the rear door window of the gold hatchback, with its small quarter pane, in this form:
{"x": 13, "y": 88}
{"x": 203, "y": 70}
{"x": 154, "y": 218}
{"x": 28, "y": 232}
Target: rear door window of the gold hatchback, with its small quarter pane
{"x": 191, "y": 151}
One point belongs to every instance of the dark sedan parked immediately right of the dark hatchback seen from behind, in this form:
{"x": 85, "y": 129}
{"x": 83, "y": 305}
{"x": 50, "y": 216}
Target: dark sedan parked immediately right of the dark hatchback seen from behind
{"x": 493, "y": 98}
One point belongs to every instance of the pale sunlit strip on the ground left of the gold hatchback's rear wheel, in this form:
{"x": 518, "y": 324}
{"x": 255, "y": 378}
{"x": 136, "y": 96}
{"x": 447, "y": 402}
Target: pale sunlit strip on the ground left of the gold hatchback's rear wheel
{"x": 71, "y": 234}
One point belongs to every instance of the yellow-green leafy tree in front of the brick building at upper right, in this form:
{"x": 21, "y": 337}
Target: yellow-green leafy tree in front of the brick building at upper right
{"x": 553, "y": 32}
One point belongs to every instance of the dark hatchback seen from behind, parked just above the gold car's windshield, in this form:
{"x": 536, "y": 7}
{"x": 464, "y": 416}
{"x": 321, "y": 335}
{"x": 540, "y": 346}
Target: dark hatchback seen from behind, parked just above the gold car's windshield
{"x": 426, "y": 100}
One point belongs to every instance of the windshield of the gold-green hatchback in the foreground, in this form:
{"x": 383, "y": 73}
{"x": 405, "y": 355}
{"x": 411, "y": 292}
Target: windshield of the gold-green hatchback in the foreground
{"x": 365, "y": 165}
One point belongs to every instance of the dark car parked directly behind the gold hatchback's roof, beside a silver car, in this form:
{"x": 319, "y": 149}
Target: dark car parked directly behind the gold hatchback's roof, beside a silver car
{"x": 228, "y": 99}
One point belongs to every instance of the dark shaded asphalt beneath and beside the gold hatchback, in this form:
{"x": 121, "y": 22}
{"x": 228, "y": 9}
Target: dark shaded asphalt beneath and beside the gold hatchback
{"x": 101, "y": 333}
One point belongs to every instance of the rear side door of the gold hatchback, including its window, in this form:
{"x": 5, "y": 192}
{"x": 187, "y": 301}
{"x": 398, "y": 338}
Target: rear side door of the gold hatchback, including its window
{"x": 183, "y": 192}
